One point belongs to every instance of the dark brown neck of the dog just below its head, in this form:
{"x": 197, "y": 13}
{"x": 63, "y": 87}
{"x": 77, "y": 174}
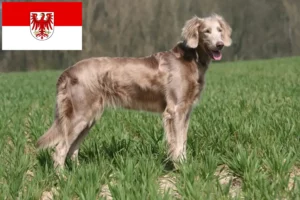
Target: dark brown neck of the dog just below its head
{"x": 198, "y": 55}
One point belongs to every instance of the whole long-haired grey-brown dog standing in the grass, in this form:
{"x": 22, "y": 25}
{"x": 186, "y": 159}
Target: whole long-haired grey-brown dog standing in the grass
{"x": 167, "y": 82}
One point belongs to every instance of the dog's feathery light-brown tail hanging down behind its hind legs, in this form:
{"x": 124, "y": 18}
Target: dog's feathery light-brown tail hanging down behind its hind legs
{"x": 64, "y": 108}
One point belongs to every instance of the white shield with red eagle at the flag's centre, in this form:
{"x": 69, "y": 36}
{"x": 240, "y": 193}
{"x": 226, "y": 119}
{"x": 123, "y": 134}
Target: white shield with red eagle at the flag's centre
{"x": 42, "y": 24}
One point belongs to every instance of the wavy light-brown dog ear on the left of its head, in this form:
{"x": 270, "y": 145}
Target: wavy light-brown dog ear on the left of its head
{"x": 190, "y": 32}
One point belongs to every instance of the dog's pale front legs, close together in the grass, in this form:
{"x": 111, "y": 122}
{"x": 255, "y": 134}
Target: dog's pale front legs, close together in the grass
{"x": 176, "y": 121}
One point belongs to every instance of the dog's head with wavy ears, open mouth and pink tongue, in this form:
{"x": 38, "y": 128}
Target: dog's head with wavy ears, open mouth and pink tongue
{"x": 211, "y": 33}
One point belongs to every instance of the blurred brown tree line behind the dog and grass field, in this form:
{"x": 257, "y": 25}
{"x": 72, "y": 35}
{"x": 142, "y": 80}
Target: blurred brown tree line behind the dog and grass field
{"x": 261, "y": 29}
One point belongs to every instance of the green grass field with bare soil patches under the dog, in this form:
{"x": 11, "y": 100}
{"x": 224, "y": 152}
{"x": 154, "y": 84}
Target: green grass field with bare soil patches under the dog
{"x": 243, "y": 141}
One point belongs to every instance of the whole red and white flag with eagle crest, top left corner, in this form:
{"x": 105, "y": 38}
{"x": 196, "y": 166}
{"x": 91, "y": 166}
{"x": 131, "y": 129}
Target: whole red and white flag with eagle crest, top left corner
{"x": 41, "y": 26}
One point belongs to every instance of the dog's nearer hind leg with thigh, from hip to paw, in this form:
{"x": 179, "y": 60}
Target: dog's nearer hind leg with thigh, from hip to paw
{"x": 78, "y": 106}
